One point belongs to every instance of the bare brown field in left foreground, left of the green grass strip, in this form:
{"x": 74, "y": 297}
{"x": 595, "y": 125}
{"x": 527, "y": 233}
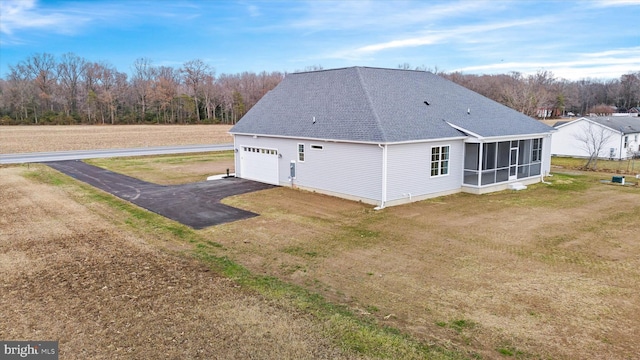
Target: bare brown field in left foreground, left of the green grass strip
{"x": 104, "y": 293}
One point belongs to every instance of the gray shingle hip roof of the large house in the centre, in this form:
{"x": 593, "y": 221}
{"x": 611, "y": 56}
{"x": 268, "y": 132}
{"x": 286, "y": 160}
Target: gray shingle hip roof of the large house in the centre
{"x": 379, "y": 105}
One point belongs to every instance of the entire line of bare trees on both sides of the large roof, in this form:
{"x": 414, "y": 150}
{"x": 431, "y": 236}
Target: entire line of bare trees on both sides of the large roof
{"x": 43, "y": 89}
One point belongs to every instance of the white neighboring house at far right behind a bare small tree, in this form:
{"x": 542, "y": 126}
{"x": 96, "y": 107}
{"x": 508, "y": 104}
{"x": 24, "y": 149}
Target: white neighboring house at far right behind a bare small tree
{"x": 616, "y": 137}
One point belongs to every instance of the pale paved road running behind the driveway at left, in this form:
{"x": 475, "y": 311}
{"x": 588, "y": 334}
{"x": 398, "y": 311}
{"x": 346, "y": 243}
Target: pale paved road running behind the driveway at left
{"x": 92, "y": 154}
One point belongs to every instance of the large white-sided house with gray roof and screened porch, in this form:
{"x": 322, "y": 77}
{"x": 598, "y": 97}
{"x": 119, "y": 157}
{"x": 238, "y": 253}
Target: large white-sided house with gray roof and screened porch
{"x": 387, "y": 137}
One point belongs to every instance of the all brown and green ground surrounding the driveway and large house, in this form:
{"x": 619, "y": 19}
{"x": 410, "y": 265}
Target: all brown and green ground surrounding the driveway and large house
{"x": 548, "y": 272}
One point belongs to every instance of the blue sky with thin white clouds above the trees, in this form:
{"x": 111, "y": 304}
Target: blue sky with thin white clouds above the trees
{"x": 573, "y": 39}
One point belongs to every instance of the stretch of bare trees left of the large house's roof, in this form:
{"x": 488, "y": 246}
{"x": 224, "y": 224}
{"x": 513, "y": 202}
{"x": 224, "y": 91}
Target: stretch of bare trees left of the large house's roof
{"x": 43, "y": 89}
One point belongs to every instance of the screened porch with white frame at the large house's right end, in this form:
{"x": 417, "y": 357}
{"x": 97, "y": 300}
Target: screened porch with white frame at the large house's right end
{"x": 491, "y": 164}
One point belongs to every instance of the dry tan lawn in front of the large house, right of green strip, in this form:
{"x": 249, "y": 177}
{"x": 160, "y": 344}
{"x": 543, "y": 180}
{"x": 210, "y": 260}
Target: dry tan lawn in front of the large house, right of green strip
{"x": 540, "y": 273}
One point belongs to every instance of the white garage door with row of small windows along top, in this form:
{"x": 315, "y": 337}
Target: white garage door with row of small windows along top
{"x": 259, "y": 164}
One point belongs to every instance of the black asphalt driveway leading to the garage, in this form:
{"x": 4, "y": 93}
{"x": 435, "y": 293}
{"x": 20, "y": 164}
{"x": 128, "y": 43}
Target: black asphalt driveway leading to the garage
{"x": 196, "y": 205}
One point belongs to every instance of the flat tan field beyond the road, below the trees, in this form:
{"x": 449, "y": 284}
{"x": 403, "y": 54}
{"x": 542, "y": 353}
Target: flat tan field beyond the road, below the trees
{"x": 25, "y": 139}
